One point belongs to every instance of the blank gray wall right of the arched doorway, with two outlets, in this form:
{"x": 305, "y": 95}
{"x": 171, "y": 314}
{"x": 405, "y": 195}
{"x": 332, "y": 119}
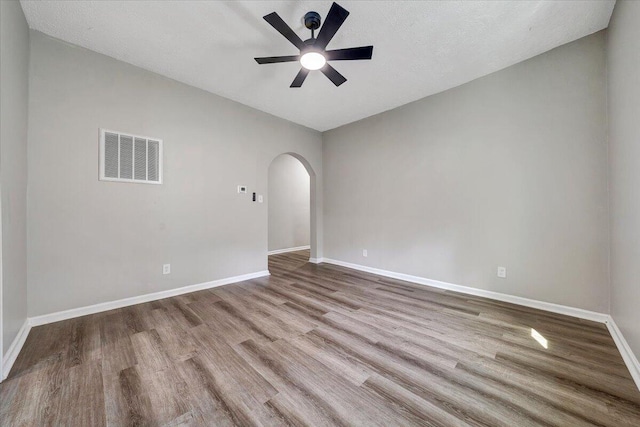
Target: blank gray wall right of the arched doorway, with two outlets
{"x": 507, "y": 170}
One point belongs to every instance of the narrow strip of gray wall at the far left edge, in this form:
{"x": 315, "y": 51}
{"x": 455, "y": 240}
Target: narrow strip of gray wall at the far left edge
{"x": 14, "y": 67}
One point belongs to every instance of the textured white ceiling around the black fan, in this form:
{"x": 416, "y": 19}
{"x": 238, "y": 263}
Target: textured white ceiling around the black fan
{"x": 420, "y": 47}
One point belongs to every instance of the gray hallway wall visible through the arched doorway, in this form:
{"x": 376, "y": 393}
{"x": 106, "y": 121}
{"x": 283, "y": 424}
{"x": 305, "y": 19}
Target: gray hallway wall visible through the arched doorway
{"x": 289, "y": 203}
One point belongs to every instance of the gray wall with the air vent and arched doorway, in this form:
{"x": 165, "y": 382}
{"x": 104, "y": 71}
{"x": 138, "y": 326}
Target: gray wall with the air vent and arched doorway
{"x": 92, "y": 241}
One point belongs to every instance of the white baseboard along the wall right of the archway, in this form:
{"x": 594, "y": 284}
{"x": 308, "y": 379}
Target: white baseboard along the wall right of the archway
{"x": 542, "y": 305}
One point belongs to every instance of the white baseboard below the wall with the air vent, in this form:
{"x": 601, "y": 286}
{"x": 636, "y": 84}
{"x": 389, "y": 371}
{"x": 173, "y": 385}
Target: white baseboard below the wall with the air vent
{"x": 105, "y": 306}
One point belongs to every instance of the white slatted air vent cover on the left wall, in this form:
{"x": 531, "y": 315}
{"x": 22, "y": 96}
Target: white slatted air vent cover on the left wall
{"x": 130, "y": 158}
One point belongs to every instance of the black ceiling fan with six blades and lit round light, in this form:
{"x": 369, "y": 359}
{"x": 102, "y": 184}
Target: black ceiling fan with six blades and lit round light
{"x": 313, "y": 54}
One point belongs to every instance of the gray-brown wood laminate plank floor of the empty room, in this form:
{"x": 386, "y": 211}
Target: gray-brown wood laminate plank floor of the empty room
{"x": 320, "y": 345}
